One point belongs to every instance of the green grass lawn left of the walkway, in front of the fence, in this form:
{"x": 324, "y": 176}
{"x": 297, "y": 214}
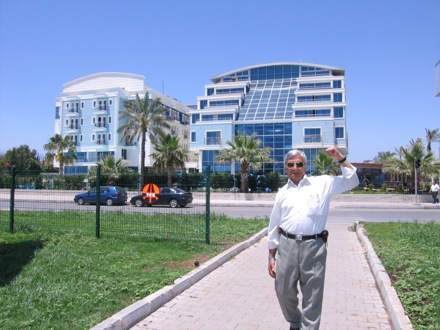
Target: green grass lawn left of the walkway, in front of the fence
{"x": 73, "y": 281}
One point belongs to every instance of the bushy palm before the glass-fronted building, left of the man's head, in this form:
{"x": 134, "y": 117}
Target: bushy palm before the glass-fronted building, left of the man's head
{"x": 248, "y": 151}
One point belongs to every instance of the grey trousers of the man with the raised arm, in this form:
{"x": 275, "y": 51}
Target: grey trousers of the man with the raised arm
{"x": 301, "y": 262}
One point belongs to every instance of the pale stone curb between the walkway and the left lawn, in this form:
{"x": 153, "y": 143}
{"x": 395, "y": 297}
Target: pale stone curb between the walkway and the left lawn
{"x": 133, "y": 314}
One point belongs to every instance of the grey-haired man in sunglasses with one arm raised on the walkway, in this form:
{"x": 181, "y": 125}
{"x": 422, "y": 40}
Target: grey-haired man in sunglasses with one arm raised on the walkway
{"x": 297, "y": 239}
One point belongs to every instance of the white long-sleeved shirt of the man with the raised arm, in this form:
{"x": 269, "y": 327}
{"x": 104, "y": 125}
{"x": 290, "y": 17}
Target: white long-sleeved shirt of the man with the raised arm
{"x": 303, "y": 209}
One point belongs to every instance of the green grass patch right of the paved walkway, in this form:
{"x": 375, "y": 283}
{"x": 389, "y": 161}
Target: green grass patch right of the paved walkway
{"x": 410, "y": 253}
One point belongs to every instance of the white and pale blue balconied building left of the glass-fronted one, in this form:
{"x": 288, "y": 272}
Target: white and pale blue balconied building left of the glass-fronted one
{"x": 88, "y": 111}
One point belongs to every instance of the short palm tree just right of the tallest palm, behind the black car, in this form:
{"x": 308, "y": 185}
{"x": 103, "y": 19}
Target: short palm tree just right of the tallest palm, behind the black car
{"x": 169, "y": 155}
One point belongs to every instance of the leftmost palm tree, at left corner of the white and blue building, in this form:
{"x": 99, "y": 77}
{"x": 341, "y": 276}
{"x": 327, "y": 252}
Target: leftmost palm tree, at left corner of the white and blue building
{"x": 63, "y": 150}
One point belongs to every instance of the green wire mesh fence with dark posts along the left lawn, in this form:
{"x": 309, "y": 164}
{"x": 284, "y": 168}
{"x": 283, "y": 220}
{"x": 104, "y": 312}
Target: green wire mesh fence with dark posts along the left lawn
{"x": 25, "y": 207}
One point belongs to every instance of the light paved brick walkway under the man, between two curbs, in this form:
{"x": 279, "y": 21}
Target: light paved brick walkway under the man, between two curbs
{"x": 240, "y": 294}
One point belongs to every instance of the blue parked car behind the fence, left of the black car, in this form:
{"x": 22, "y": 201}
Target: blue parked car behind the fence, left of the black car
{"x": 108, "y": 195}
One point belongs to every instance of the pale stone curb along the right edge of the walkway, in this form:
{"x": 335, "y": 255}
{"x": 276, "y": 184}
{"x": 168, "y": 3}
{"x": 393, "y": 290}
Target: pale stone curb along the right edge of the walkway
{"x": 399, "y": 320}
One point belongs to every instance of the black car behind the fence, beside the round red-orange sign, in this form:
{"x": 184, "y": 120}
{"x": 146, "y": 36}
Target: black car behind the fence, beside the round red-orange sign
{"x": 171, "y": 196}
